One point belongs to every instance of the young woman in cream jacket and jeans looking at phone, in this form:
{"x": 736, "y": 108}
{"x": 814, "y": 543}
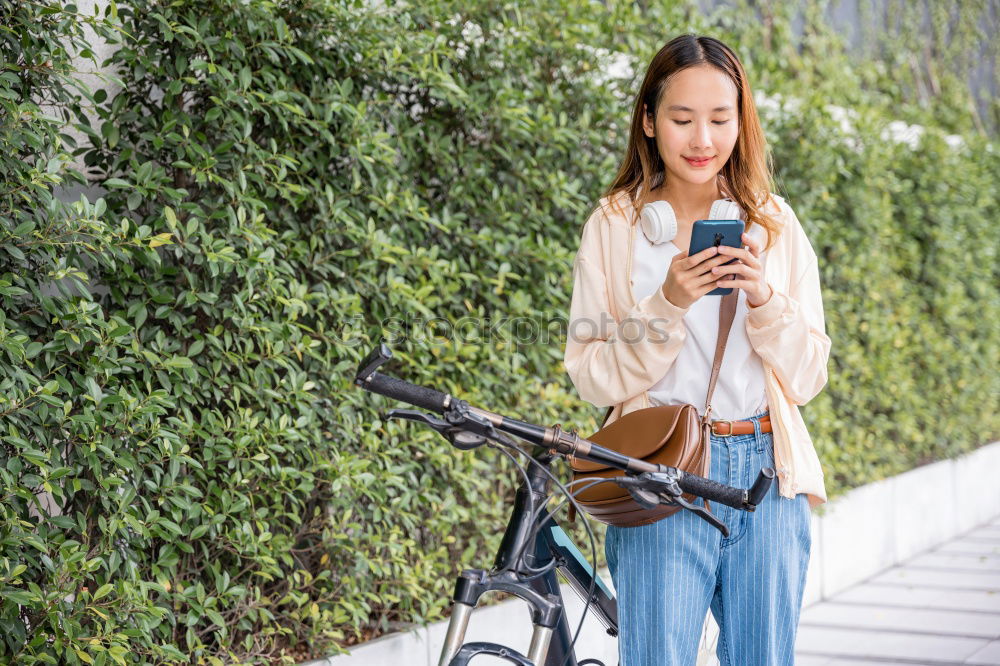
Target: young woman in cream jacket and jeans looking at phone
{"x": 643, "y": 333}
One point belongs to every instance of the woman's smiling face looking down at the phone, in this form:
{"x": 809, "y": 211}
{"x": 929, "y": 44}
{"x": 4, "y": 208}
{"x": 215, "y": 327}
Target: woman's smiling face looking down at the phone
{"x": 696, "y": 117}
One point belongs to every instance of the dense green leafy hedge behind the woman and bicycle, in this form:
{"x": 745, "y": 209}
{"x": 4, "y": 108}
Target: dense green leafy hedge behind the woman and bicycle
{"x": 188, "y": 472}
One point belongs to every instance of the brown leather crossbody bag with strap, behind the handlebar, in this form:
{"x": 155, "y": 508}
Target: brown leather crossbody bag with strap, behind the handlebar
{"x": 672, "y": 435}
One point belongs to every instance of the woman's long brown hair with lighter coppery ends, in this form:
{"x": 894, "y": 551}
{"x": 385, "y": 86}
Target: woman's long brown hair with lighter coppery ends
{"x": 747, "y": 176}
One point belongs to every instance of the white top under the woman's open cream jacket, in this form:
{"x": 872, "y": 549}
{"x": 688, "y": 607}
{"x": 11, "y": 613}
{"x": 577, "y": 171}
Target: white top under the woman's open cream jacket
{"x": 739, "y": 390}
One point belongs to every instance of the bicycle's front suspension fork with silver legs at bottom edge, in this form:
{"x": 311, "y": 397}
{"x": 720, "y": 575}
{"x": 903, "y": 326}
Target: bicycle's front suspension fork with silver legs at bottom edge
{"x": 471, "y": 585}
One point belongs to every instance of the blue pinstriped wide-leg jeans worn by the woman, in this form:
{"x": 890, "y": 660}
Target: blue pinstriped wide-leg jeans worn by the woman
{"x": 668, "y": 574}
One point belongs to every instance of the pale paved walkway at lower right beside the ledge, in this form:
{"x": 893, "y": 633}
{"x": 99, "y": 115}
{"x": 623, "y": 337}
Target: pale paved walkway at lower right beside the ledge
{"x": 941, "y": 607}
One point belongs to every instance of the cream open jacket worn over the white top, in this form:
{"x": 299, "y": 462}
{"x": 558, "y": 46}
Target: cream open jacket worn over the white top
{"x": 615, "y": 364}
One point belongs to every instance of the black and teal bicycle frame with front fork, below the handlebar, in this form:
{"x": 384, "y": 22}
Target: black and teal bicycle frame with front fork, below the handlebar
{"x": 551, "y": 641}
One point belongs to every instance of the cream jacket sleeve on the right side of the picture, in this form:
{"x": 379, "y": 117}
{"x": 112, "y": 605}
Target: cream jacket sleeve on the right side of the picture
{"x": 789, "y": 332}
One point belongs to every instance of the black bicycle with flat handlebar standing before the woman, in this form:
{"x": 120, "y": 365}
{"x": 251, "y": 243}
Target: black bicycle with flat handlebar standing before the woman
{"x": 534, "y": 546}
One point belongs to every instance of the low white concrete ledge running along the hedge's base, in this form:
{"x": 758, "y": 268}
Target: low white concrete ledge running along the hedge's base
{"x": 867, "y": 530}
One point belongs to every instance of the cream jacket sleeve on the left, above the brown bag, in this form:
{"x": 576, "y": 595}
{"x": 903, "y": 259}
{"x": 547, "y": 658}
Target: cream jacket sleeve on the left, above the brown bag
{"x": 611, "y": 361}
